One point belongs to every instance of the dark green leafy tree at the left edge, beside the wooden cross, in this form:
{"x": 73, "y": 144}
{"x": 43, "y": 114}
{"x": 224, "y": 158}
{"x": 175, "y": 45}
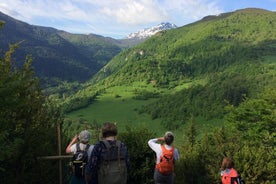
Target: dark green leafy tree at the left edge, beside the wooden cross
{"x": 27, "y": 124}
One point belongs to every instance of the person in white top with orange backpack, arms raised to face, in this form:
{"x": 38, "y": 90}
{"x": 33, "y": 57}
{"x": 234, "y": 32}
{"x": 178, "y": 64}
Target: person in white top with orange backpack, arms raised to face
{"x": 166, "y": 155}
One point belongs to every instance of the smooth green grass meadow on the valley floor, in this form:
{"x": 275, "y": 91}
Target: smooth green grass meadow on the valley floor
{"x": 117, "y": 105}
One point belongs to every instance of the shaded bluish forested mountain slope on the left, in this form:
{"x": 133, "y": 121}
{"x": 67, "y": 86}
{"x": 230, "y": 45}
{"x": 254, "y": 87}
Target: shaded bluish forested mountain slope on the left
{"x": 58, "y": 56}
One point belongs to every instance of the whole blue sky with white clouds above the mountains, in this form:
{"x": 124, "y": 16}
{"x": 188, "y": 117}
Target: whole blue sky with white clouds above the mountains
{"x": 118, "y": 18}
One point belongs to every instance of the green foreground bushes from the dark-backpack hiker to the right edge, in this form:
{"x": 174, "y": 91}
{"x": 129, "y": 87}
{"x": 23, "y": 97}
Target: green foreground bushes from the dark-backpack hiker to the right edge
{"x": 248, "y": 137}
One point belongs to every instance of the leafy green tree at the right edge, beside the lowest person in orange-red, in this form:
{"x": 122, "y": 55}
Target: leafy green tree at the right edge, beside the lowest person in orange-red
{"x": 254, "y": 122}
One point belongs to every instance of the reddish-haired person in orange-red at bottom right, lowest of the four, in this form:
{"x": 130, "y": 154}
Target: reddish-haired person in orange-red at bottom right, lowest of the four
{"x": 228, "y": 173}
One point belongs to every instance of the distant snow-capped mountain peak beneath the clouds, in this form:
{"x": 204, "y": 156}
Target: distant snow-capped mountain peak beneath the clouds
{"x": 148, "y": 32}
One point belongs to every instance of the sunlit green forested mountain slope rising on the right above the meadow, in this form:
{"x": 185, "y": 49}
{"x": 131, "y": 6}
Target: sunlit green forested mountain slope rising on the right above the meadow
{"x": 217, "y": 60}
